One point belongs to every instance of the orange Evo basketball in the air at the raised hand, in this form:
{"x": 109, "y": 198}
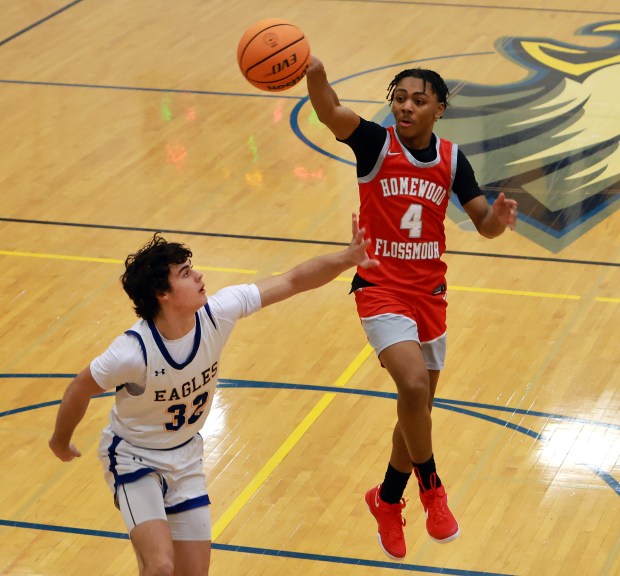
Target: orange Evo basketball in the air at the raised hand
{"x": 273, "y": 54}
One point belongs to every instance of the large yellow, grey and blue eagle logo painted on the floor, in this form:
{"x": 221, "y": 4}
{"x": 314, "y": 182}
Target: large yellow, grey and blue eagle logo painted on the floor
{"x": 551, "y": 141}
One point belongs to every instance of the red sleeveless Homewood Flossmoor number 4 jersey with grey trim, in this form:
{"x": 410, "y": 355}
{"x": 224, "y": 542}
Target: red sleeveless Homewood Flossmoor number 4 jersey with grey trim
{"x": 403, "y": 205}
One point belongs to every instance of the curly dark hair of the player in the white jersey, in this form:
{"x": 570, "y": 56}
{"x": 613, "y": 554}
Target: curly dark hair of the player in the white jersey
{"x": 146, "y": 273}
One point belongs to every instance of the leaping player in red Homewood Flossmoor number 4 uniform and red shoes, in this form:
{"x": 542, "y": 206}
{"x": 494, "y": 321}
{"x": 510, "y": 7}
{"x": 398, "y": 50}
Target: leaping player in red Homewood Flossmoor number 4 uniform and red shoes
{"x": 406, "y": 175}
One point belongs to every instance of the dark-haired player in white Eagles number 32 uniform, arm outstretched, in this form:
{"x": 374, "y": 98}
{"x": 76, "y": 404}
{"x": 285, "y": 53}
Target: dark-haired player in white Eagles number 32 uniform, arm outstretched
{"x": 164, "y": 371}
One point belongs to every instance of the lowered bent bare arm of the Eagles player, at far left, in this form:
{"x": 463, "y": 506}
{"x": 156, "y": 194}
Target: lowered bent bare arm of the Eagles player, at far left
{"x": 70, "y": 413}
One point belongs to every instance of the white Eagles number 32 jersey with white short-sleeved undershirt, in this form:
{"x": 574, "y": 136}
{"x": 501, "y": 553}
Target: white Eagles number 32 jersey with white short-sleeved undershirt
{"x": 164, "y": 389}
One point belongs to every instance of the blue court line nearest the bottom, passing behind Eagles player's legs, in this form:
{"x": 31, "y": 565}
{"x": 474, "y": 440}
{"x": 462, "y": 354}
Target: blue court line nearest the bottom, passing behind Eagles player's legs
{"x": 268, "y": 551}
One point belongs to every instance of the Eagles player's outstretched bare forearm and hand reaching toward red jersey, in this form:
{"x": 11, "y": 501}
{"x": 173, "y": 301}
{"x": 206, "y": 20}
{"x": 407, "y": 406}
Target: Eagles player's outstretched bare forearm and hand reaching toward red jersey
{"x": 317, "y": 271}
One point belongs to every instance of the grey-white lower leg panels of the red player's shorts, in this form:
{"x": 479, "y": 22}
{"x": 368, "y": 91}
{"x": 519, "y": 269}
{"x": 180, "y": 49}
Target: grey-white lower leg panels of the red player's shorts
{"x": 384, "y": 330}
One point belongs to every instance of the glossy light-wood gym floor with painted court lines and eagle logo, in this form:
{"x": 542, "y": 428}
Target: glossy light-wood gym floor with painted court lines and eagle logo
{"x": 121, "y": 118}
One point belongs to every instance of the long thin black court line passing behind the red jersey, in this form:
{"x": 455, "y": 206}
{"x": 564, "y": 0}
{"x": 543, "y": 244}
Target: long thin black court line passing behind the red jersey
{"x": 295, "y": 240}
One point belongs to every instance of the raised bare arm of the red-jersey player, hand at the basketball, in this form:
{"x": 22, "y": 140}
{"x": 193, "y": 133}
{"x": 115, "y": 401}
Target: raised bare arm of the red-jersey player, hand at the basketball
{"x": 339, "y": 119}
